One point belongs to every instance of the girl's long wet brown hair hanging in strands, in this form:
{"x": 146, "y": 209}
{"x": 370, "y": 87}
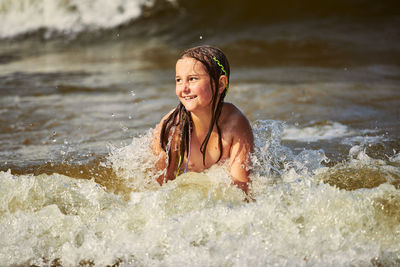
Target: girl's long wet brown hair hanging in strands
{"x": 216, "y": 64}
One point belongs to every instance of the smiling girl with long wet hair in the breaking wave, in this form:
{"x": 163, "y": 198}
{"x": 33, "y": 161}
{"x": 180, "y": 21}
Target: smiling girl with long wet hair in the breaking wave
{"x": 203, "y": 130}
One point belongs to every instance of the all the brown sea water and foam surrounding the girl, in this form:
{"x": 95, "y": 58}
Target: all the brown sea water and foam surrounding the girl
{"x": 83, "y": 84}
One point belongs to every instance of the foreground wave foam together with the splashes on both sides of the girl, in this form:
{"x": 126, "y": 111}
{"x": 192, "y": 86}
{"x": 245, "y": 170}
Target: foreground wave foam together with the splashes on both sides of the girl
{"x": 198, "y": 219}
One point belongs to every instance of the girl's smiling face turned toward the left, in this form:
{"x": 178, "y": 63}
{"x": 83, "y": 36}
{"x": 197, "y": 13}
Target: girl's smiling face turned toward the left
{"x": 193, "y": 86}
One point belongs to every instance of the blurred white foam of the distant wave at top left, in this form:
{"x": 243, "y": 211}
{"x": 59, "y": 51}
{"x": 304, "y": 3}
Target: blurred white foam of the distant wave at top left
{"x": 21, "y": 16}
